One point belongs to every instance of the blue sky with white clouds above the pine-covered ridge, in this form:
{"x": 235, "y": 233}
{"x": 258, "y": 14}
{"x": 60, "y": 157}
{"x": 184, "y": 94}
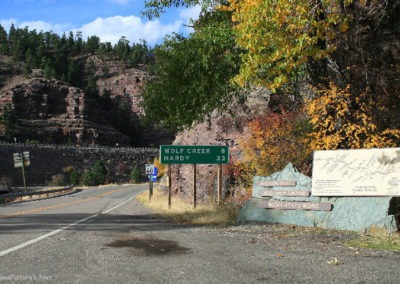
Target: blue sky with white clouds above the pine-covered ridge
{"x": 107, "y": 19}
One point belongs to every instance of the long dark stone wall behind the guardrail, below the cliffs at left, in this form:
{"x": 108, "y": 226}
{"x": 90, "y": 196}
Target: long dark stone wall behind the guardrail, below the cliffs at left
{"x": 51, "y": 164}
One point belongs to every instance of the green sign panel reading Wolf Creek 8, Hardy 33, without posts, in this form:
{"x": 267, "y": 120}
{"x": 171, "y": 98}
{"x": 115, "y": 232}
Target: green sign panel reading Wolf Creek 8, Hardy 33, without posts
{"x": 194, "y": 154}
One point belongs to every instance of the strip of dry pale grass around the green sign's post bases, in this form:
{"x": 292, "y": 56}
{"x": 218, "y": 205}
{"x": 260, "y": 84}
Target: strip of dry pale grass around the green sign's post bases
{"x": 184, "y": 213}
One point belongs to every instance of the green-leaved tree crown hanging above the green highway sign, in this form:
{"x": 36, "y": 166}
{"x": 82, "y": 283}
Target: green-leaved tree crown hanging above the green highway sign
{"x": 192, "y": 74}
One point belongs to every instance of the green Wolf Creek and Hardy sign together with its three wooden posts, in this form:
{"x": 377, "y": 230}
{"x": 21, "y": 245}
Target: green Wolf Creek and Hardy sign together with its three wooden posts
{"x": 194, "y": 154}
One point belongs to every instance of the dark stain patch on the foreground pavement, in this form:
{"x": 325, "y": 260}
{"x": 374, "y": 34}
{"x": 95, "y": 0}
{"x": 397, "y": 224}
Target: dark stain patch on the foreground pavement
{"x": 150, "y": 246}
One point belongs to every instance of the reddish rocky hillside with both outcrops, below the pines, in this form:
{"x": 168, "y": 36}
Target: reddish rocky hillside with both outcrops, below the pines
{"x": 52, "y": 111}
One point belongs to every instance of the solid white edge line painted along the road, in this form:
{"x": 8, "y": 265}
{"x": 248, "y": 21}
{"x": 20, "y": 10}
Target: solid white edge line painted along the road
{"x": 52, "y": 233}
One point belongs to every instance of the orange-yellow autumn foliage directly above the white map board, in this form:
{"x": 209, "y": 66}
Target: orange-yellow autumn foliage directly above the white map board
{"x": 342, "y": 120}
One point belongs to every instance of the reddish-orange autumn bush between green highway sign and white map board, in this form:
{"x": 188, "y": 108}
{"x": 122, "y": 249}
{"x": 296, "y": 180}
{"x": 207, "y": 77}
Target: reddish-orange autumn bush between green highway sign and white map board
{"x": 272, "y": 140}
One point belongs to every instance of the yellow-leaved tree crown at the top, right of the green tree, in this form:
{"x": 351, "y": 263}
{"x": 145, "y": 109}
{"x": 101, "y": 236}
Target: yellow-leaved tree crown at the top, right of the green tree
{"x": 280, "y": 36}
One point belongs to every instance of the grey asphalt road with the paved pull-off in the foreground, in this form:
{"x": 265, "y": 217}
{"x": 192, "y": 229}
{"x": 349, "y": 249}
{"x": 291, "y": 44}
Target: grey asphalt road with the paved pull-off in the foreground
{"x": 105, "y": 236}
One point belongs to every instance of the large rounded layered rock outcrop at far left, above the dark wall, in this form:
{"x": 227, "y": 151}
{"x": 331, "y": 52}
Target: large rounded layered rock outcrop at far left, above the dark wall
{"x": 52, "y": 112}
